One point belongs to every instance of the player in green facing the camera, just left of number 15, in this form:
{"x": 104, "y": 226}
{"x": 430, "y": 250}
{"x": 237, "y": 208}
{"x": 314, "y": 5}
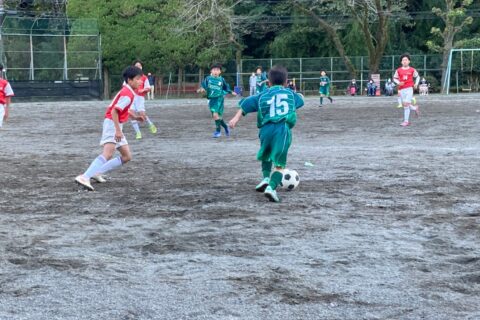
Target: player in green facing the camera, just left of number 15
{"x": 216, "y": 88}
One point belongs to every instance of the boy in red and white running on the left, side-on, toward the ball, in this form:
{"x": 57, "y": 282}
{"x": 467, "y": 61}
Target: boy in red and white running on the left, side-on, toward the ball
{"x": 112, "y": 136}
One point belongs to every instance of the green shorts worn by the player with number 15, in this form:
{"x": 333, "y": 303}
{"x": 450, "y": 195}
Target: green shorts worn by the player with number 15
{"x": 275, "y": 140}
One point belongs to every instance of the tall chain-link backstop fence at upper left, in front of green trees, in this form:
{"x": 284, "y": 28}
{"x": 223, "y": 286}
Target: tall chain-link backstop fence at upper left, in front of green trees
{"x": 51, "y": 50}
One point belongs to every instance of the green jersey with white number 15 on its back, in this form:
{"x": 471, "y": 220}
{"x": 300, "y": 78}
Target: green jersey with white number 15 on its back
{"x": 275, "y": 105}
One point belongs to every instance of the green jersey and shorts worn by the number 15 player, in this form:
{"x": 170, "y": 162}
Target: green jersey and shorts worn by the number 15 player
{"x": 276, "y": 116}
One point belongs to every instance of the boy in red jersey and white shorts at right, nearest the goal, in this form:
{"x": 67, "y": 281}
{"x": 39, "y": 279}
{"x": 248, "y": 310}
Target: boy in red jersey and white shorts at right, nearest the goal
{"x": 404, "y": 79}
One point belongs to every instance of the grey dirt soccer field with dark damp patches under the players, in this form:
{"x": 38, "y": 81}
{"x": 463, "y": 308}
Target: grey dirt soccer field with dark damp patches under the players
{"x": 385, "y": 225}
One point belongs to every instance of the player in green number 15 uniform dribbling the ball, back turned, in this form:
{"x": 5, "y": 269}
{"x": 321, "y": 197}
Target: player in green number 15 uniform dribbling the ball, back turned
{"x": 276, "y": 116}
